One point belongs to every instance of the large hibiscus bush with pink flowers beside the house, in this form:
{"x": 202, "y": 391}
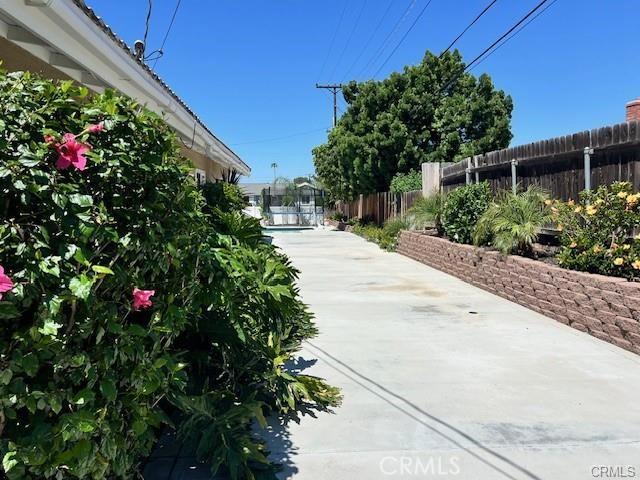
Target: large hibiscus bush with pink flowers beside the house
{"x": 123, "y": 304}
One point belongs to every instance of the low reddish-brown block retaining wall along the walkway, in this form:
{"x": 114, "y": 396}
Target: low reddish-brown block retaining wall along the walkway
{"x": 606, "y": 307}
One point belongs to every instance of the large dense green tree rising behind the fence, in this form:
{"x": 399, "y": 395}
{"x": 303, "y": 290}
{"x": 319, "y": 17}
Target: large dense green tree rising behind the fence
{"x": 431, "y": 112}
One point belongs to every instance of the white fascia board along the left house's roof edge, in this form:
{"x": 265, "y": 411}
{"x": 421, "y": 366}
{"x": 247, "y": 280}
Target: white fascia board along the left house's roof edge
{"x": 62, "y": 25}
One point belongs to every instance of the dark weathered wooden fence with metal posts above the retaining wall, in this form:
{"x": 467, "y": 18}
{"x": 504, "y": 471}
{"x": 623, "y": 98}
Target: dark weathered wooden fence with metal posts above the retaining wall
{"x": 558, "y": 164}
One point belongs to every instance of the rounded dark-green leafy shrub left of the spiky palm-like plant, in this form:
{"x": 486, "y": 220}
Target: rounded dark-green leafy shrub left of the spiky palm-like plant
{"x": 463, "y": 208}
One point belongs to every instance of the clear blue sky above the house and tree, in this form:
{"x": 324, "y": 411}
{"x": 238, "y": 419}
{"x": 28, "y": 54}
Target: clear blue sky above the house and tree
{"x": 249, "y": 67}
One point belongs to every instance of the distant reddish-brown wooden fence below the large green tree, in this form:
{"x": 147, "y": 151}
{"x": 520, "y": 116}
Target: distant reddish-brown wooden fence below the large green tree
{"x": 379, "y": 207}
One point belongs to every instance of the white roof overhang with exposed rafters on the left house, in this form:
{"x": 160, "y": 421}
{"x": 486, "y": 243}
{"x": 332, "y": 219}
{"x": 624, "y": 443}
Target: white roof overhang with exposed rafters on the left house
{"x": 80, "y": 52}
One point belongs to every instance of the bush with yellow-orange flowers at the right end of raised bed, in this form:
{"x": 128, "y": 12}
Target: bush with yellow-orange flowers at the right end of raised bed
{"x": 597, "y": 231}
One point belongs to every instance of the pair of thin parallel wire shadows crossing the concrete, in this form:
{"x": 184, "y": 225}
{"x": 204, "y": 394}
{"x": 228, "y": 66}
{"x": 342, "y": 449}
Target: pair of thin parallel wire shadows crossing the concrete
{"x": 496, "y": 461}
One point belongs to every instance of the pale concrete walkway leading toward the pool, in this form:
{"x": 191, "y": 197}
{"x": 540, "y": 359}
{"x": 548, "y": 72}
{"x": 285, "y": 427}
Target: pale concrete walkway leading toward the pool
{"x": 444, "y": 380}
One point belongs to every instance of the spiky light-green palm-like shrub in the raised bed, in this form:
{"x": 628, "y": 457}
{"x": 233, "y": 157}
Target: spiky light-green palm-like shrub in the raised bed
{"x": 512, "y": 222}
